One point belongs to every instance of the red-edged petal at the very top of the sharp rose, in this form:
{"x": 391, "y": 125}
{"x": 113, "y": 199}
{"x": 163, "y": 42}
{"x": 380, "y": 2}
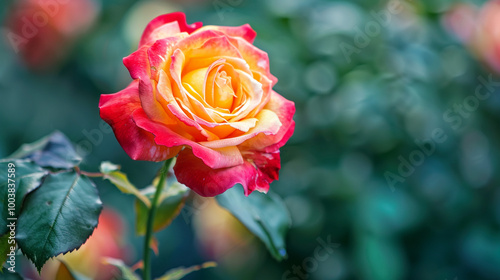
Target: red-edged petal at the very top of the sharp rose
{"x": 160, "y": 27}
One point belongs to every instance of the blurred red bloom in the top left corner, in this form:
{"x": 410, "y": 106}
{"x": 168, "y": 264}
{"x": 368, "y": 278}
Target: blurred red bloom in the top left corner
{"x": 44, "y": 31}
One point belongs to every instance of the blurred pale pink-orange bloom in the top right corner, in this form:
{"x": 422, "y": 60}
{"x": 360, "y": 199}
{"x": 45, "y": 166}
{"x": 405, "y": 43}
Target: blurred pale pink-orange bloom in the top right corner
{"x": 479, "y": 29}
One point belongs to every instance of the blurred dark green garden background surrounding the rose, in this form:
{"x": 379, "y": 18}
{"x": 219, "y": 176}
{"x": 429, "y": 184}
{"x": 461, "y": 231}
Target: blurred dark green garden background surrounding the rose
{"x": 359, "y": 116}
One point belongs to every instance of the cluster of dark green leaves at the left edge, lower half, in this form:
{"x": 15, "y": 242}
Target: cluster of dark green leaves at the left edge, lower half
{"x": 56, "y": 207}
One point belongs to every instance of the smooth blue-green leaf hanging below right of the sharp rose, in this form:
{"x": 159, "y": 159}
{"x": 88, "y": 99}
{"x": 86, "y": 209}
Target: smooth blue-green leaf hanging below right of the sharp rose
{"x": 263, "y": 214}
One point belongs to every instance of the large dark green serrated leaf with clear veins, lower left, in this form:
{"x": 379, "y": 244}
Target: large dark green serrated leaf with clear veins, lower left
{"x": 58, "y": 217}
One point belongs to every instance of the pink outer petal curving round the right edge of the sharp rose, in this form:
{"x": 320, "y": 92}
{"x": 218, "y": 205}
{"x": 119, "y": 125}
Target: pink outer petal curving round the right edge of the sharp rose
{"x": 284, "y": 109}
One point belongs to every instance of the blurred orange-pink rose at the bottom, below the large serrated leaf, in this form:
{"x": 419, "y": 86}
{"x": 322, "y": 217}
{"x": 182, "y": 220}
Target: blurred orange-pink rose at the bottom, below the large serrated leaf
{"x": 105, "y": 241}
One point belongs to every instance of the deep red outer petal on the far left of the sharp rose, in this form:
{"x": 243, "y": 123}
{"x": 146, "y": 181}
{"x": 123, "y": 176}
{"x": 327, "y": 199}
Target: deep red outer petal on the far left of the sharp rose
{"x": 117, "y": 109}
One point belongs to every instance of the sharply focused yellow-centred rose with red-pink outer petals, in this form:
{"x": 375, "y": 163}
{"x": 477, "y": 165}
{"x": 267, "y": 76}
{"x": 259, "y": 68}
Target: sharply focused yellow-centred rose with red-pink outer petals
{"x": 204, "y": 94}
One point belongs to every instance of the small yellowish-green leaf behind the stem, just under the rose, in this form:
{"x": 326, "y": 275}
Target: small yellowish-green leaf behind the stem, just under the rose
{"x": 169, "y": 206}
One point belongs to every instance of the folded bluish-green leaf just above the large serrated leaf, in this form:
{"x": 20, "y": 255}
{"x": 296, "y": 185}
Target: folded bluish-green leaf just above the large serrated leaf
{"x": 54, "y": 150}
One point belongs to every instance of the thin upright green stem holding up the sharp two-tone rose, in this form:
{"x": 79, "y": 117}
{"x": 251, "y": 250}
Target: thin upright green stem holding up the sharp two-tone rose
{"x": 151, "y": 217}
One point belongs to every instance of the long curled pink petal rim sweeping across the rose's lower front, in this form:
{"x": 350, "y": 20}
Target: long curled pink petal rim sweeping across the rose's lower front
{"x": 164, "y": 136}
